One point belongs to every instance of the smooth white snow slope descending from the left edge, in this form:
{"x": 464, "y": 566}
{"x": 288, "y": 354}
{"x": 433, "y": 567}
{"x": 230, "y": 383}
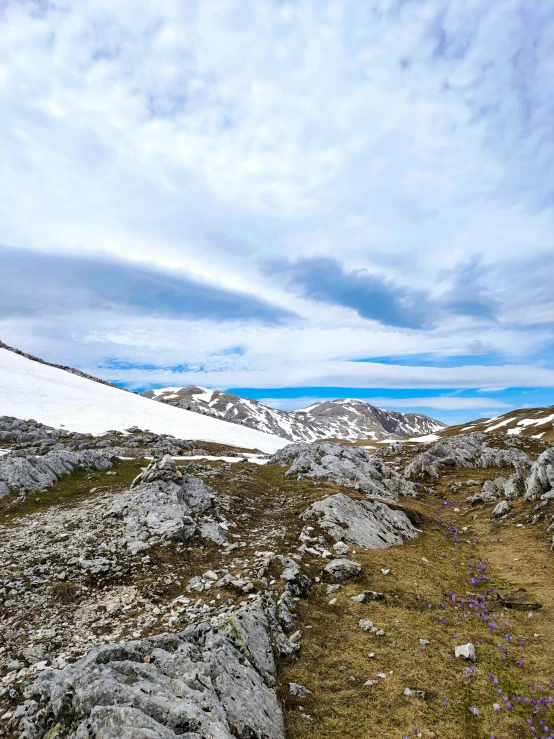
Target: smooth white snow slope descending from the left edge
{"x": 29, "y": 389}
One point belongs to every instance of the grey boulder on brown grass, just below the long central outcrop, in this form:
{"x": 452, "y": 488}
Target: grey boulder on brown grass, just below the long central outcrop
{"x": 363, "y": 523}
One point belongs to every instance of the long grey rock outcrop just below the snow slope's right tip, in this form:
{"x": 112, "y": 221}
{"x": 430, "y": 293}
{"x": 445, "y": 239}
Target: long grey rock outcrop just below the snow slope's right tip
{"x": 349, "y": 466}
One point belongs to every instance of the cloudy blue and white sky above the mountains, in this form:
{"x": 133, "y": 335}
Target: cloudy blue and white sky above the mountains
{"x": 291, "y": 200}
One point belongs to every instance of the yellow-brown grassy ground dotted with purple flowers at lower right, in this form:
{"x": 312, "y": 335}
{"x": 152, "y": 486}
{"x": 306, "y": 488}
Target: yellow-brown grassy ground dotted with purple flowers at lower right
{"x": 335, "y": 659}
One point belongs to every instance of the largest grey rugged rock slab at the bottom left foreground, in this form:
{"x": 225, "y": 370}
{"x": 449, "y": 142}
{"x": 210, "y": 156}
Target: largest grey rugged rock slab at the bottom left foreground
{"x": 213, "y": 681}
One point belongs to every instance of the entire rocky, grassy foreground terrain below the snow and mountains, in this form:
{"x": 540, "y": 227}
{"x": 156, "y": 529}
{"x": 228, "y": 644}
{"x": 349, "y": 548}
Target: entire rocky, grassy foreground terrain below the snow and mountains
{"x": 329, "y": 592}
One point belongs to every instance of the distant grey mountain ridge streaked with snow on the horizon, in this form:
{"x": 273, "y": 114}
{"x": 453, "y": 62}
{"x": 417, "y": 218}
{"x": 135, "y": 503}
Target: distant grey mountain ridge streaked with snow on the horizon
{"x": 344, "y": 418}
